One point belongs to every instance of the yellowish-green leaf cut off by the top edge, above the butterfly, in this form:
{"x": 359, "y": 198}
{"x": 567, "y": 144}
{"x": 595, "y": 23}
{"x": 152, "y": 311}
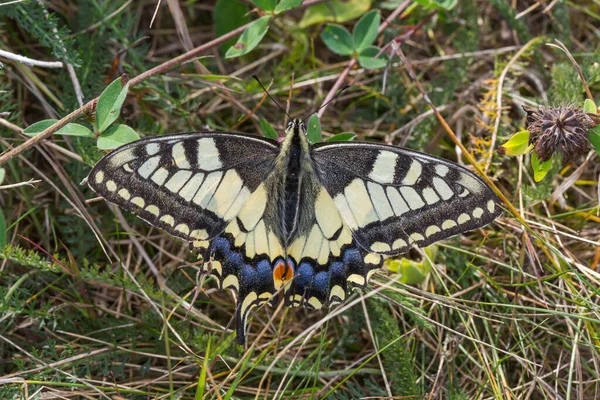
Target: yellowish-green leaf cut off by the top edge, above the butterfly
{"x": 339, "y": 11}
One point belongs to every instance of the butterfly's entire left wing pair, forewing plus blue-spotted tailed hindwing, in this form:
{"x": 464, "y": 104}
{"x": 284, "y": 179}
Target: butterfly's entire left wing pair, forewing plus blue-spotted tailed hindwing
{"x": 208, "y": 189}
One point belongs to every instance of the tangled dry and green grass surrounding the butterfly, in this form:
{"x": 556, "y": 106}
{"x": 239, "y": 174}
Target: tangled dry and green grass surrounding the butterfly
{"x": 97, "y": 304}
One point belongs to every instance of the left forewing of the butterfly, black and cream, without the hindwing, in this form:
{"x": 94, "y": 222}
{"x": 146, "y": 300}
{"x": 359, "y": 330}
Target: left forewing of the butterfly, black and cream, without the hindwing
{"x": 190, "y": 185}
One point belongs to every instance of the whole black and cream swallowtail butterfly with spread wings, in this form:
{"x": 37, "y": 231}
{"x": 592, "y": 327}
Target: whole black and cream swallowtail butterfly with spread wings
{"x": 308, "y": 220}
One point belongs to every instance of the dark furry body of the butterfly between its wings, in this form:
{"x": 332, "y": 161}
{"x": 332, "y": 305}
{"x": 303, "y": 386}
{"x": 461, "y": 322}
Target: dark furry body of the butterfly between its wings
{"x": 292, "y": 183}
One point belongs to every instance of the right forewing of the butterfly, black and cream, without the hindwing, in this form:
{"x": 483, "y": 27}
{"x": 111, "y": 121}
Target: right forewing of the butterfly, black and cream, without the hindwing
{"x": 393, "y": 198}
